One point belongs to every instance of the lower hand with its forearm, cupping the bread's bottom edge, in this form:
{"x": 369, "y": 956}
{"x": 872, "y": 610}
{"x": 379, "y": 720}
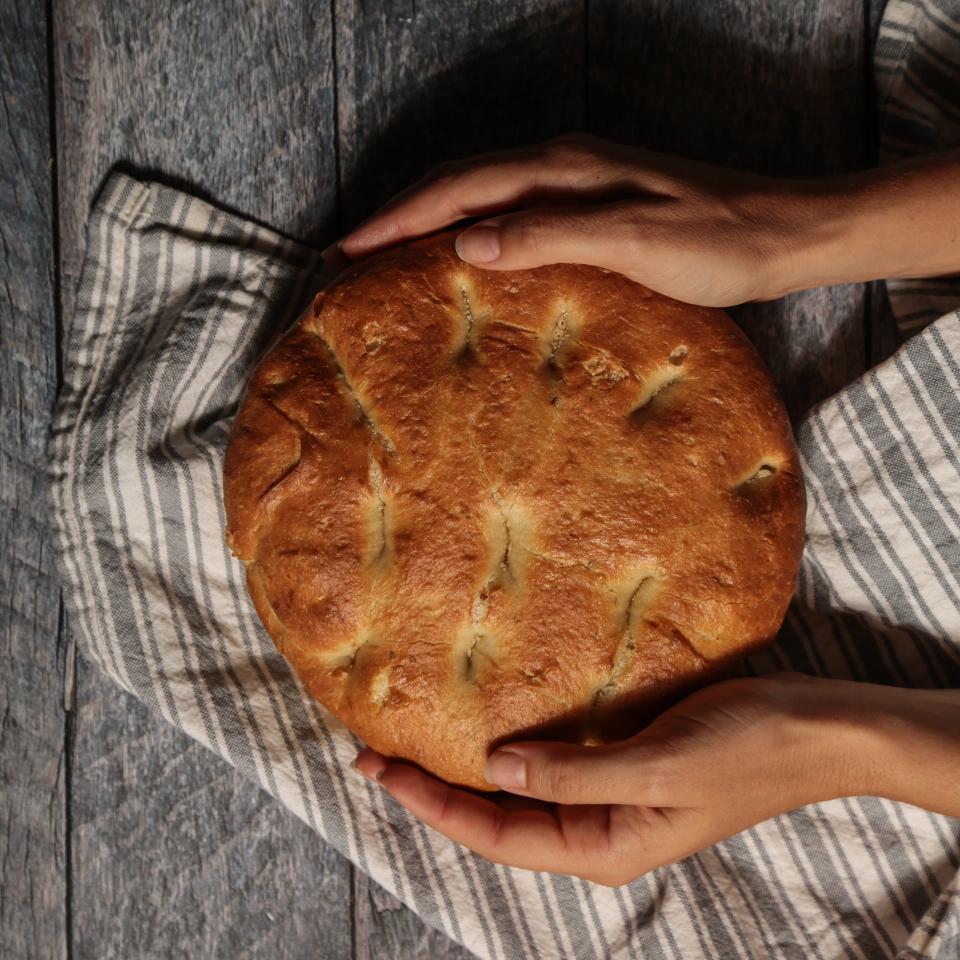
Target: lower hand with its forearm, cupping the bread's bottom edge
{"x": 727, "y": 757}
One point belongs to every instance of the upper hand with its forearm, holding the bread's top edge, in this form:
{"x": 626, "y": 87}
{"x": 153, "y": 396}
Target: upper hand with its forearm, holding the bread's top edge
{"x": 699, "y": 233}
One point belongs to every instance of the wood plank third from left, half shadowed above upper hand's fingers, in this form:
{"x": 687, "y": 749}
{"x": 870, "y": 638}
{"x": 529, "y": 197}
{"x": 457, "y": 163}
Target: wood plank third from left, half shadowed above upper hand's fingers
{"x": 418, "y": 84}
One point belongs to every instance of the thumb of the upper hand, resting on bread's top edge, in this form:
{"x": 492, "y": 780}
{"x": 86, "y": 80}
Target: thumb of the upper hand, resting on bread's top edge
{"x": 602, "y": 236}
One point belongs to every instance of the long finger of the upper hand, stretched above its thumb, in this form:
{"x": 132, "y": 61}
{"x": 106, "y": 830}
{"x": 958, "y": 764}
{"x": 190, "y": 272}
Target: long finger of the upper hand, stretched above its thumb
{"x": 482, "y": 186}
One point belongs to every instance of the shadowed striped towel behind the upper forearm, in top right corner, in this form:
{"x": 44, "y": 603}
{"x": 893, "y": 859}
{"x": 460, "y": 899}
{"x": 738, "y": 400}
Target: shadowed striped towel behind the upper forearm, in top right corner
{"x": 917, "y": 72}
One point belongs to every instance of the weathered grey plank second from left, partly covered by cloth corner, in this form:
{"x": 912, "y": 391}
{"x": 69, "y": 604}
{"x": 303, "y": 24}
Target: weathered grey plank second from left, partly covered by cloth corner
{"x": 173, "y": 853}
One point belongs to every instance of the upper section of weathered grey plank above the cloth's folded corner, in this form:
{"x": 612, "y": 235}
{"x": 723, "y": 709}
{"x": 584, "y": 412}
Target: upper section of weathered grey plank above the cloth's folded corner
{"x": 232, "y": 101}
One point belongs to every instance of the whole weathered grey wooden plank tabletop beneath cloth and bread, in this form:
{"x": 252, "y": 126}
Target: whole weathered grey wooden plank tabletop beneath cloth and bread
{"x": 119, "y": 837}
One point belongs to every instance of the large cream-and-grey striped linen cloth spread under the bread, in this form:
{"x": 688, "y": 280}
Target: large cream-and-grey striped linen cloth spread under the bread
{"x": 176, "y": 302}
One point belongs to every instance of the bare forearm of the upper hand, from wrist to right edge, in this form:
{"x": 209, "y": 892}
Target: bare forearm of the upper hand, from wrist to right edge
{"x": 899, "y": 220}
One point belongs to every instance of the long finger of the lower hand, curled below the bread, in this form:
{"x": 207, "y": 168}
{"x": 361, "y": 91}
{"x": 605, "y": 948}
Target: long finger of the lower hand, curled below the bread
{"x": 531, "y": 839}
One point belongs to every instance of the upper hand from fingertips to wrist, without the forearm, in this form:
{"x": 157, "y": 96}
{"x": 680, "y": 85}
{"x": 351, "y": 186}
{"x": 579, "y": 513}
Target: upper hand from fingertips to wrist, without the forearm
{"x": 706, "y": 235}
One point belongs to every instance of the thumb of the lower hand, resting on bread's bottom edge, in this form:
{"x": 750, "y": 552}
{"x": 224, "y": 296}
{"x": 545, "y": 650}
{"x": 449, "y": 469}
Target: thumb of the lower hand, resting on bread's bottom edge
{"x": 627, "y": 772}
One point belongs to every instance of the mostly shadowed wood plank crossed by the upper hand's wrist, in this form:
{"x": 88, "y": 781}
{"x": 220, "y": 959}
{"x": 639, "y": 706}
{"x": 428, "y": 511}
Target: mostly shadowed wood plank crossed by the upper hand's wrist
{"x": 776, "y": 88}
